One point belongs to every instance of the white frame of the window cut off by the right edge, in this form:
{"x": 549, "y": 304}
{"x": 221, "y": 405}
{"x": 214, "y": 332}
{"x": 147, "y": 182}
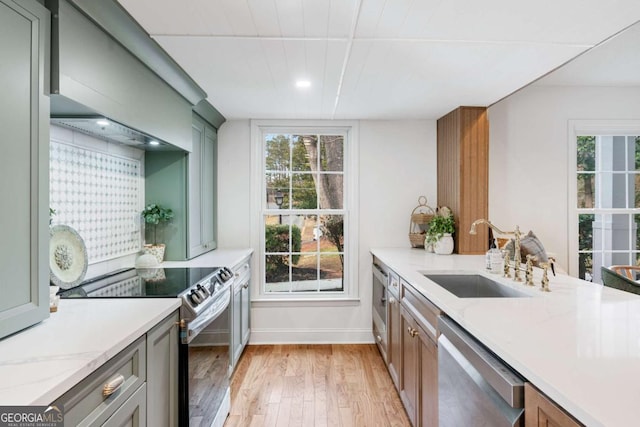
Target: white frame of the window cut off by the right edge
{"x": 596, "y": 128}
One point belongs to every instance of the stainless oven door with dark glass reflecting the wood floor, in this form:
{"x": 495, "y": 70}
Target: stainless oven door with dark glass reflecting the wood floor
{"x": 205, "y": 367}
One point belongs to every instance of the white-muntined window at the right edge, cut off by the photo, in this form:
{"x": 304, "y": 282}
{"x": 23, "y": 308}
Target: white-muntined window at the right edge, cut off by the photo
{"x": 607, "y": 202}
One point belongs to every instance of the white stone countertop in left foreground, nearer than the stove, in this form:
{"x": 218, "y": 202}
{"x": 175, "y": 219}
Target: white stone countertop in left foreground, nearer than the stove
{"x": 43, "y": 362}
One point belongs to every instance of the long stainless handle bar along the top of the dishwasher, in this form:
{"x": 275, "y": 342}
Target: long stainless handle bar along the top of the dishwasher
{"x": 506, "y": 382}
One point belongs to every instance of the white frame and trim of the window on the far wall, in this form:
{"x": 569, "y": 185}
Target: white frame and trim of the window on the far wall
{"x": 259, "y": 128}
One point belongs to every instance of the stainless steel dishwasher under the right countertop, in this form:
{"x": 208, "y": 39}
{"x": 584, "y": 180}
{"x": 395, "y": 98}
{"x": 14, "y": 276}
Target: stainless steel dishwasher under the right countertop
{"x": 475, "y": 387}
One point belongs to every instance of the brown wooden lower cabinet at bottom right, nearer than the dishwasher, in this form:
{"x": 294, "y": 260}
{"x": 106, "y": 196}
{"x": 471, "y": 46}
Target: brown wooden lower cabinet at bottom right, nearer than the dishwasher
{"x": 540, "y": 411}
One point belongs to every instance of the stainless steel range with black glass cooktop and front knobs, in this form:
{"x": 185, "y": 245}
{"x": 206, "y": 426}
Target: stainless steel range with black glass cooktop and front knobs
{"x": 204, "y": 363}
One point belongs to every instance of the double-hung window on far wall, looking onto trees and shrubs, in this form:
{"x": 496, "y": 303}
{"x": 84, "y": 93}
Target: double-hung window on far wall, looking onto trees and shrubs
{"x": 304, "y": 220}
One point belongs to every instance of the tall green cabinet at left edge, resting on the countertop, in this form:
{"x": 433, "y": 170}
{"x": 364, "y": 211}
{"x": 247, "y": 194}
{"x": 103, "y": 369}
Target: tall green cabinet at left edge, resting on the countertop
{"x": 24, "y": 165}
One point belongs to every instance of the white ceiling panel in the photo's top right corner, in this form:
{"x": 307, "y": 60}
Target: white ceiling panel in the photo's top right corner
{"x": 499, "y": 20}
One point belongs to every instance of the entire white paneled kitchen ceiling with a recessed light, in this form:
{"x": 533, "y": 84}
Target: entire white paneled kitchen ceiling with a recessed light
{"x": 372, "y": 59}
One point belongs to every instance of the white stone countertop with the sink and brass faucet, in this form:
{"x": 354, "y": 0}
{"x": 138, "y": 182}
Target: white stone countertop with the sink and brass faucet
{"x": 579, "y": 343}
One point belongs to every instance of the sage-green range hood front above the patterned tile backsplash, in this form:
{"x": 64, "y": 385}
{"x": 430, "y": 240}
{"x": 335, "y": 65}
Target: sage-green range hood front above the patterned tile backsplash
{"x": 94, "y": 70}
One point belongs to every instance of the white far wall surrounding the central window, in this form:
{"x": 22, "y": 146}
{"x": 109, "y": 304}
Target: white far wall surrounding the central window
{"x": 397, "y": 164}
